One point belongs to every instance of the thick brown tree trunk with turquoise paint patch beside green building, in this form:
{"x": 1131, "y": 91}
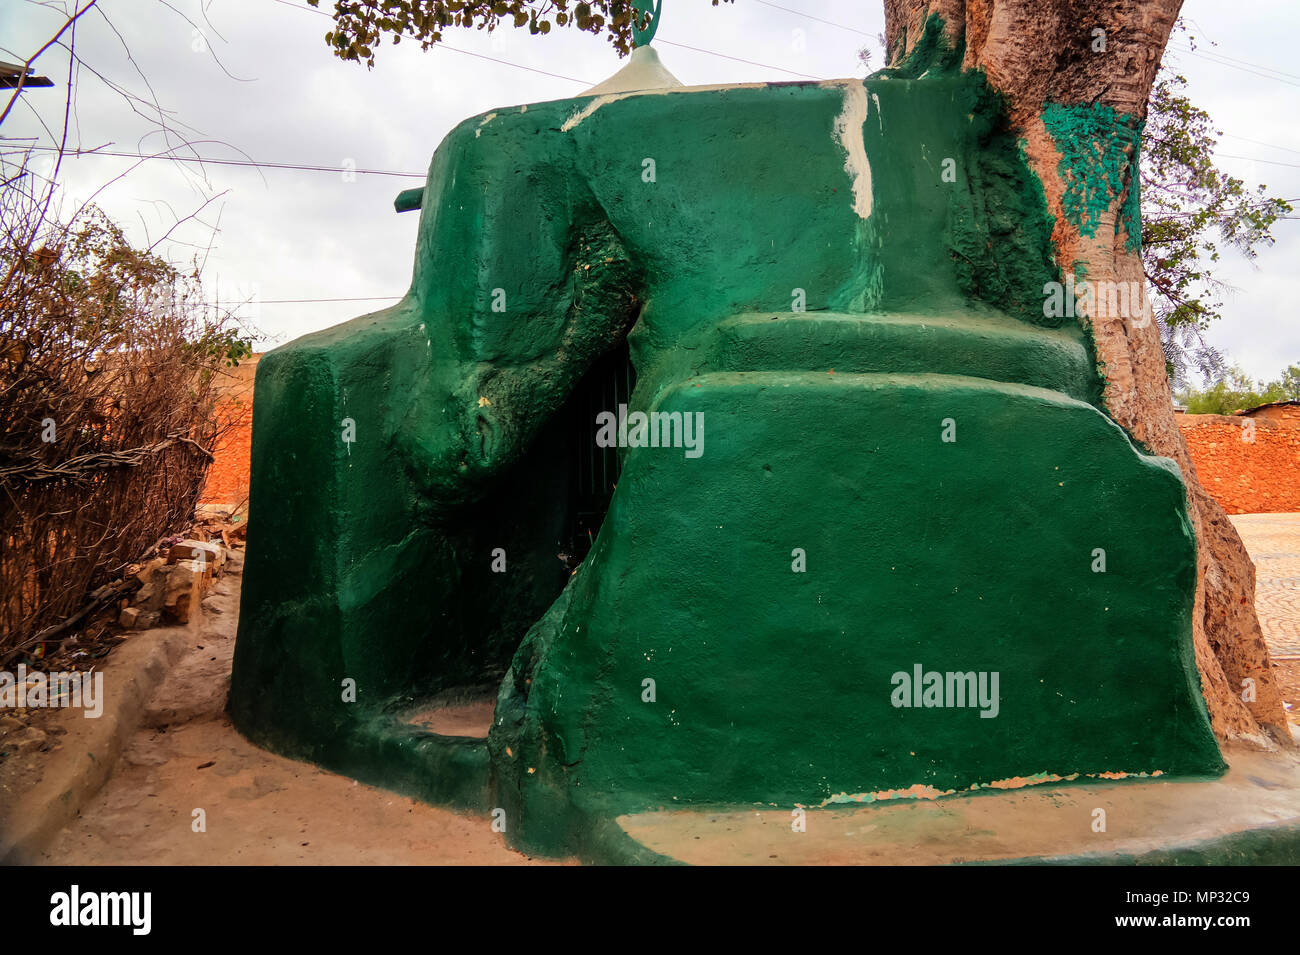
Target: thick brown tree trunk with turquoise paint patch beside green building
{"x": 1039, "y": 54}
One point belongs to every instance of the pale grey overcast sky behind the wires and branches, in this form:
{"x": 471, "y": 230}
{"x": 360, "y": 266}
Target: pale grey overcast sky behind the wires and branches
{"x": 255, "y": 80}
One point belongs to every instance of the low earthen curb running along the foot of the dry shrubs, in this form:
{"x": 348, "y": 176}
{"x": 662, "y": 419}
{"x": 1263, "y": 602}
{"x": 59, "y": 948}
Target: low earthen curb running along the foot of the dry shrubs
{"x": 92, "y": 748}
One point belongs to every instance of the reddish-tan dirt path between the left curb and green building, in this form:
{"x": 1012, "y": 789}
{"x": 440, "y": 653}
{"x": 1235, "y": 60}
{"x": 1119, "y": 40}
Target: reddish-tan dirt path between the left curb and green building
{"x": 259, "y": 809}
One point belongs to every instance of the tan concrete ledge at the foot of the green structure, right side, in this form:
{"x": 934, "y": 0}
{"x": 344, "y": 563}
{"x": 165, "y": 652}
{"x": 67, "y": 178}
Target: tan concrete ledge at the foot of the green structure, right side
{"x": 1251, "y": 817}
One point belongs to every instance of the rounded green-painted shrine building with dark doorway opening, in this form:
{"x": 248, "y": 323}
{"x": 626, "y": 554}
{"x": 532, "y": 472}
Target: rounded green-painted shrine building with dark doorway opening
{"x": 371, "y": 561}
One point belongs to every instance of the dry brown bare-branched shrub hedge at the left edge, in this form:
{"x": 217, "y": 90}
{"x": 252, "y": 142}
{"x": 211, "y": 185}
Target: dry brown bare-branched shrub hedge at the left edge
{"x": 107, "y": 407}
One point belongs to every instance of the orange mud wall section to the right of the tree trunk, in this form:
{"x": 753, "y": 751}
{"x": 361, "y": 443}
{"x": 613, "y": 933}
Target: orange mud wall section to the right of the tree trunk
{"x": 1249, "y": 472}
